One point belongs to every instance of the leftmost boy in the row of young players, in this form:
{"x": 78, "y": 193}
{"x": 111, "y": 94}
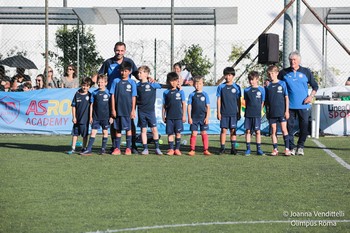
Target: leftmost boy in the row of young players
{"x": 81, "y": 113}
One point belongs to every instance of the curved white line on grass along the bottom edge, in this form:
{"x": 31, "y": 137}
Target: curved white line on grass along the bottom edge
{"x": 216, "y": 223}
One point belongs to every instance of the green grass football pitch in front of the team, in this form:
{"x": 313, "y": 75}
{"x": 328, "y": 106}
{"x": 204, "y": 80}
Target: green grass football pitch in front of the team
{"x": 42, "y": 189}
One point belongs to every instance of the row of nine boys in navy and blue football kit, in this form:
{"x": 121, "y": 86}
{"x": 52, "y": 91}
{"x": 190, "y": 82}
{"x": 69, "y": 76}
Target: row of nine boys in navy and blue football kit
{"x": 123, "y": 103}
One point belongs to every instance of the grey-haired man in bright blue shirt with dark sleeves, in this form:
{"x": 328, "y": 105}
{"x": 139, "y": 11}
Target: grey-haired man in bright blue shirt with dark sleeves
{"x": 298, "y": 79}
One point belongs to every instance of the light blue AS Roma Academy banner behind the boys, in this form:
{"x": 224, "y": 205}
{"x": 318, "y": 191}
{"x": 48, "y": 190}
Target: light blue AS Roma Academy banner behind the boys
{"x": 49, "y": 111}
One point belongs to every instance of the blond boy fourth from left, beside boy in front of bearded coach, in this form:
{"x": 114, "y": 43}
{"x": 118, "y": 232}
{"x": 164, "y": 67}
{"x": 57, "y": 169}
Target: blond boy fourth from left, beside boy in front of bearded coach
{"x": 146, "y": 98}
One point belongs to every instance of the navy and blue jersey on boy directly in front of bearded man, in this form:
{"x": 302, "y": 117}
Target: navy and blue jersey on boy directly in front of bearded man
{"x": 123, "y": 91}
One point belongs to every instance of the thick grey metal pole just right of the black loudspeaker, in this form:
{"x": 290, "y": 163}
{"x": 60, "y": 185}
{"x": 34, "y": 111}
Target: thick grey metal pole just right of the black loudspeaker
{"x": 287, "y": 34}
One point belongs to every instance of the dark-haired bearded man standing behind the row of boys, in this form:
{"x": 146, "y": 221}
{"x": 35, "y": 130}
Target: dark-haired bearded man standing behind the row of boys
{"x": 111, "y": 67}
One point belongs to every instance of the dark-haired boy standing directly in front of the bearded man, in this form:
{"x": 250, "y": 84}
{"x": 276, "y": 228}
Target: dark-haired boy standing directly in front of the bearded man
{"x": 123, "y": 104}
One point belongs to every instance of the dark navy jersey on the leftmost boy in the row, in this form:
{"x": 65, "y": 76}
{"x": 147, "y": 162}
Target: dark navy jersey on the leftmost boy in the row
{"x": 81, "y": 102}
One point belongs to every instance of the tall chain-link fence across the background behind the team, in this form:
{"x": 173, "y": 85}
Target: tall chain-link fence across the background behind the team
{"x": 151, "y": 44}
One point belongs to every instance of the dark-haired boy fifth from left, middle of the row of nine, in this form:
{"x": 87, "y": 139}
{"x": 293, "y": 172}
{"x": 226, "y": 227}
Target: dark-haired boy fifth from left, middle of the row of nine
{"x": 174, "y": 112}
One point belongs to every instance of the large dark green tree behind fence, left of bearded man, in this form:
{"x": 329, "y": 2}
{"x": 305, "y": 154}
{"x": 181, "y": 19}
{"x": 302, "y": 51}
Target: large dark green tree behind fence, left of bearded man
{"x": 89, "y": 58}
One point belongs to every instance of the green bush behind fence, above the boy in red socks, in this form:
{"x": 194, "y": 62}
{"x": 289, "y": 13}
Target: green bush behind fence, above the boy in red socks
{"x": 195, "y": 62}
